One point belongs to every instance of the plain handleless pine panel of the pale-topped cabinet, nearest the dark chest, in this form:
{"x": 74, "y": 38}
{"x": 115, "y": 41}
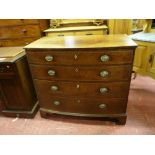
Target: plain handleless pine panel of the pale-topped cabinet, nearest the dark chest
{"x": 139, "y": 58}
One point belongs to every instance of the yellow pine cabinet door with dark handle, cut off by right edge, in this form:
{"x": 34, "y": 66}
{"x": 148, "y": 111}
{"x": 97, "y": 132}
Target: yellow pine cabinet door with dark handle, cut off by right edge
{"x": 151, "y": 61}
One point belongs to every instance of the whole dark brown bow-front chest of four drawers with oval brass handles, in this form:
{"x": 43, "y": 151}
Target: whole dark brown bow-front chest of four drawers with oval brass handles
{"x": 82, "y": 75}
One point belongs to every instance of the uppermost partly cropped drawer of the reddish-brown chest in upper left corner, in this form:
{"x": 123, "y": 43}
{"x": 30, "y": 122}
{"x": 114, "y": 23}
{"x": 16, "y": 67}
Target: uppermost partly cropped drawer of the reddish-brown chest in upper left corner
{"x": 12, "y": 22}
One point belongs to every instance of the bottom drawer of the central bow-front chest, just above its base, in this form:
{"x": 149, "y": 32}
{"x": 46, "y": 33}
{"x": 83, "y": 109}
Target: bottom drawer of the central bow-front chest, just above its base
{"x": 84, "y": 106}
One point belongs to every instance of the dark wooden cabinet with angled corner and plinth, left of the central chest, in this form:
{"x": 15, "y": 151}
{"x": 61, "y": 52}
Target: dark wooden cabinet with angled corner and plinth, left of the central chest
{"x": 17, "y": 94}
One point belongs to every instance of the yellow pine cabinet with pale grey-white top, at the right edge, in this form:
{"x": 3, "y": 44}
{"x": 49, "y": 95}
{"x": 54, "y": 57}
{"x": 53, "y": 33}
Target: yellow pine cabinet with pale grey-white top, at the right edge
{"x": 144, "y": 60}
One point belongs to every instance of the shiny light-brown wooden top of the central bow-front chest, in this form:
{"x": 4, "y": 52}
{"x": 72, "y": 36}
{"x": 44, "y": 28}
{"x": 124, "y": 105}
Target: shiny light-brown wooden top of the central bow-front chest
{"x": 82, "y": 42}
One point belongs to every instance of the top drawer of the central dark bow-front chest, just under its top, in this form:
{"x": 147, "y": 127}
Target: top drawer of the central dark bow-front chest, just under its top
{"x": 97, "y": 57}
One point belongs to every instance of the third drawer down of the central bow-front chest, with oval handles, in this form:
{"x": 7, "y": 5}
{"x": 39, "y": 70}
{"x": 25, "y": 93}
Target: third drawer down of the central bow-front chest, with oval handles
{"x": 82, "y": 89}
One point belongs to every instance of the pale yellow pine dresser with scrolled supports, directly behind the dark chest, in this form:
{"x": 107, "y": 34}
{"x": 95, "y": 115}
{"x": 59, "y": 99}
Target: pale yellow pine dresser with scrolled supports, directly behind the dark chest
{"x": 72, "y": 27}
